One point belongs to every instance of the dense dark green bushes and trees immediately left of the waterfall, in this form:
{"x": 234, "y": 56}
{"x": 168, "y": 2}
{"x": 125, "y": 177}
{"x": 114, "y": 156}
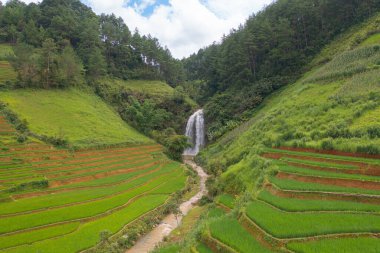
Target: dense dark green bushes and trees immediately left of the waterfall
{"x": 162, "y": 118}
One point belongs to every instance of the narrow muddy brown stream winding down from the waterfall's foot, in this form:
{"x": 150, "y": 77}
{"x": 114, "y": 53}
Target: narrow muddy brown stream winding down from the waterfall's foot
{"x": 148, "y": 242}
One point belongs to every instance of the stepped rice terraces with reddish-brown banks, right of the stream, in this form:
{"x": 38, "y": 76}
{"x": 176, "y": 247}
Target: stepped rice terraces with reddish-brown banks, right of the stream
{"x": 313, "y": 202}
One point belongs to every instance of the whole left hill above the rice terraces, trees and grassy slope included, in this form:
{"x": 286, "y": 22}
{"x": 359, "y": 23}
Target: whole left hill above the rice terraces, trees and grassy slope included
{"x": 64, "y": 47}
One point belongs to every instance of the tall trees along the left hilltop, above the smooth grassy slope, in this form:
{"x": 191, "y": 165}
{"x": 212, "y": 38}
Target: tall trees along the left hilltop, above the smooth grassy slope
{"x": 55, "y": 33}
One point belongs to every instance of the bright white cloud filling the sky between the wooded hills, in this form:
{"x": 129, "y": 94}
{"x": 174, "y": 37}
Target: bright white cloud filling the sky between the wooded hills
{"x": 184, "y": 26}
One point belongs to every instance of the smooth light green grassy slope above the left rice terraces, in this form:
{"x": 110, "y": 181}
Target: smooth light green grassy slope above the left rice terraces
{"x": 78, "y": 116}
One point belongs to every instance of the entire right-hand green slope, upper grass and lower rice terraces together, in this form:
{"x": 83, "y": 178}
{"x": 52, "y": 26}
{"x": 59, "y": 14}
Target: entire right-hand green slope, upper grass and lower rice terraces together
{"x": 302, "y": 175}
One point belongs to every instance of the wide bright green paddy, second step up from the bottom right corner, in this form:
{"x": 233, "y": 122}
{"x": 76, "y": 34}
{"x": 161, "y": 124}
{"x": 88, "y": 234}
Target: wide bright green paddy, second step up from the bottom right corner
{"x": 283, "y": 224}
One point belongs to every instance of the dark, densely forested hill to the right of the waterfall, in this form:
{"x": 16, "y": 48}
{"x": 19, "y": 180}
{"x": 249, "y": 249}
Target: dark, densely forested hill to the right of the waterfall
{"x": 273, "y": 48}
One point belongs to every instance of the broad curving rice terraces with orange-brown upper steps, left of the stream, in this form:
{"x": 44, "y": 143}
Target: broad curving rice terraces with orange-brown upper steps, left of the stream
{"x": 57, "y": 199}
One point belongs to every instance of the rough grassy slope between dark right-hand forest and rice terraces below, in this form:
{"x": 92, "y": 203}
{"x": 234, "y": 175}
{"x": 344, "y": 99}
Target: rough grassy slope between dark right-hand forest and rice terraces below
{"x": 336, "y": 106}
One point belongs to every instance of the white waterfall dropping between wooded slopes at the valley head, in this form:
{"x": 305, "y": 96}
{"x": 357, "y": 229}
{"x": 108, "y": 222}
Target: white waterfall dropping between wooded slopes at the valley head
{"x": 195, "y": 130}
